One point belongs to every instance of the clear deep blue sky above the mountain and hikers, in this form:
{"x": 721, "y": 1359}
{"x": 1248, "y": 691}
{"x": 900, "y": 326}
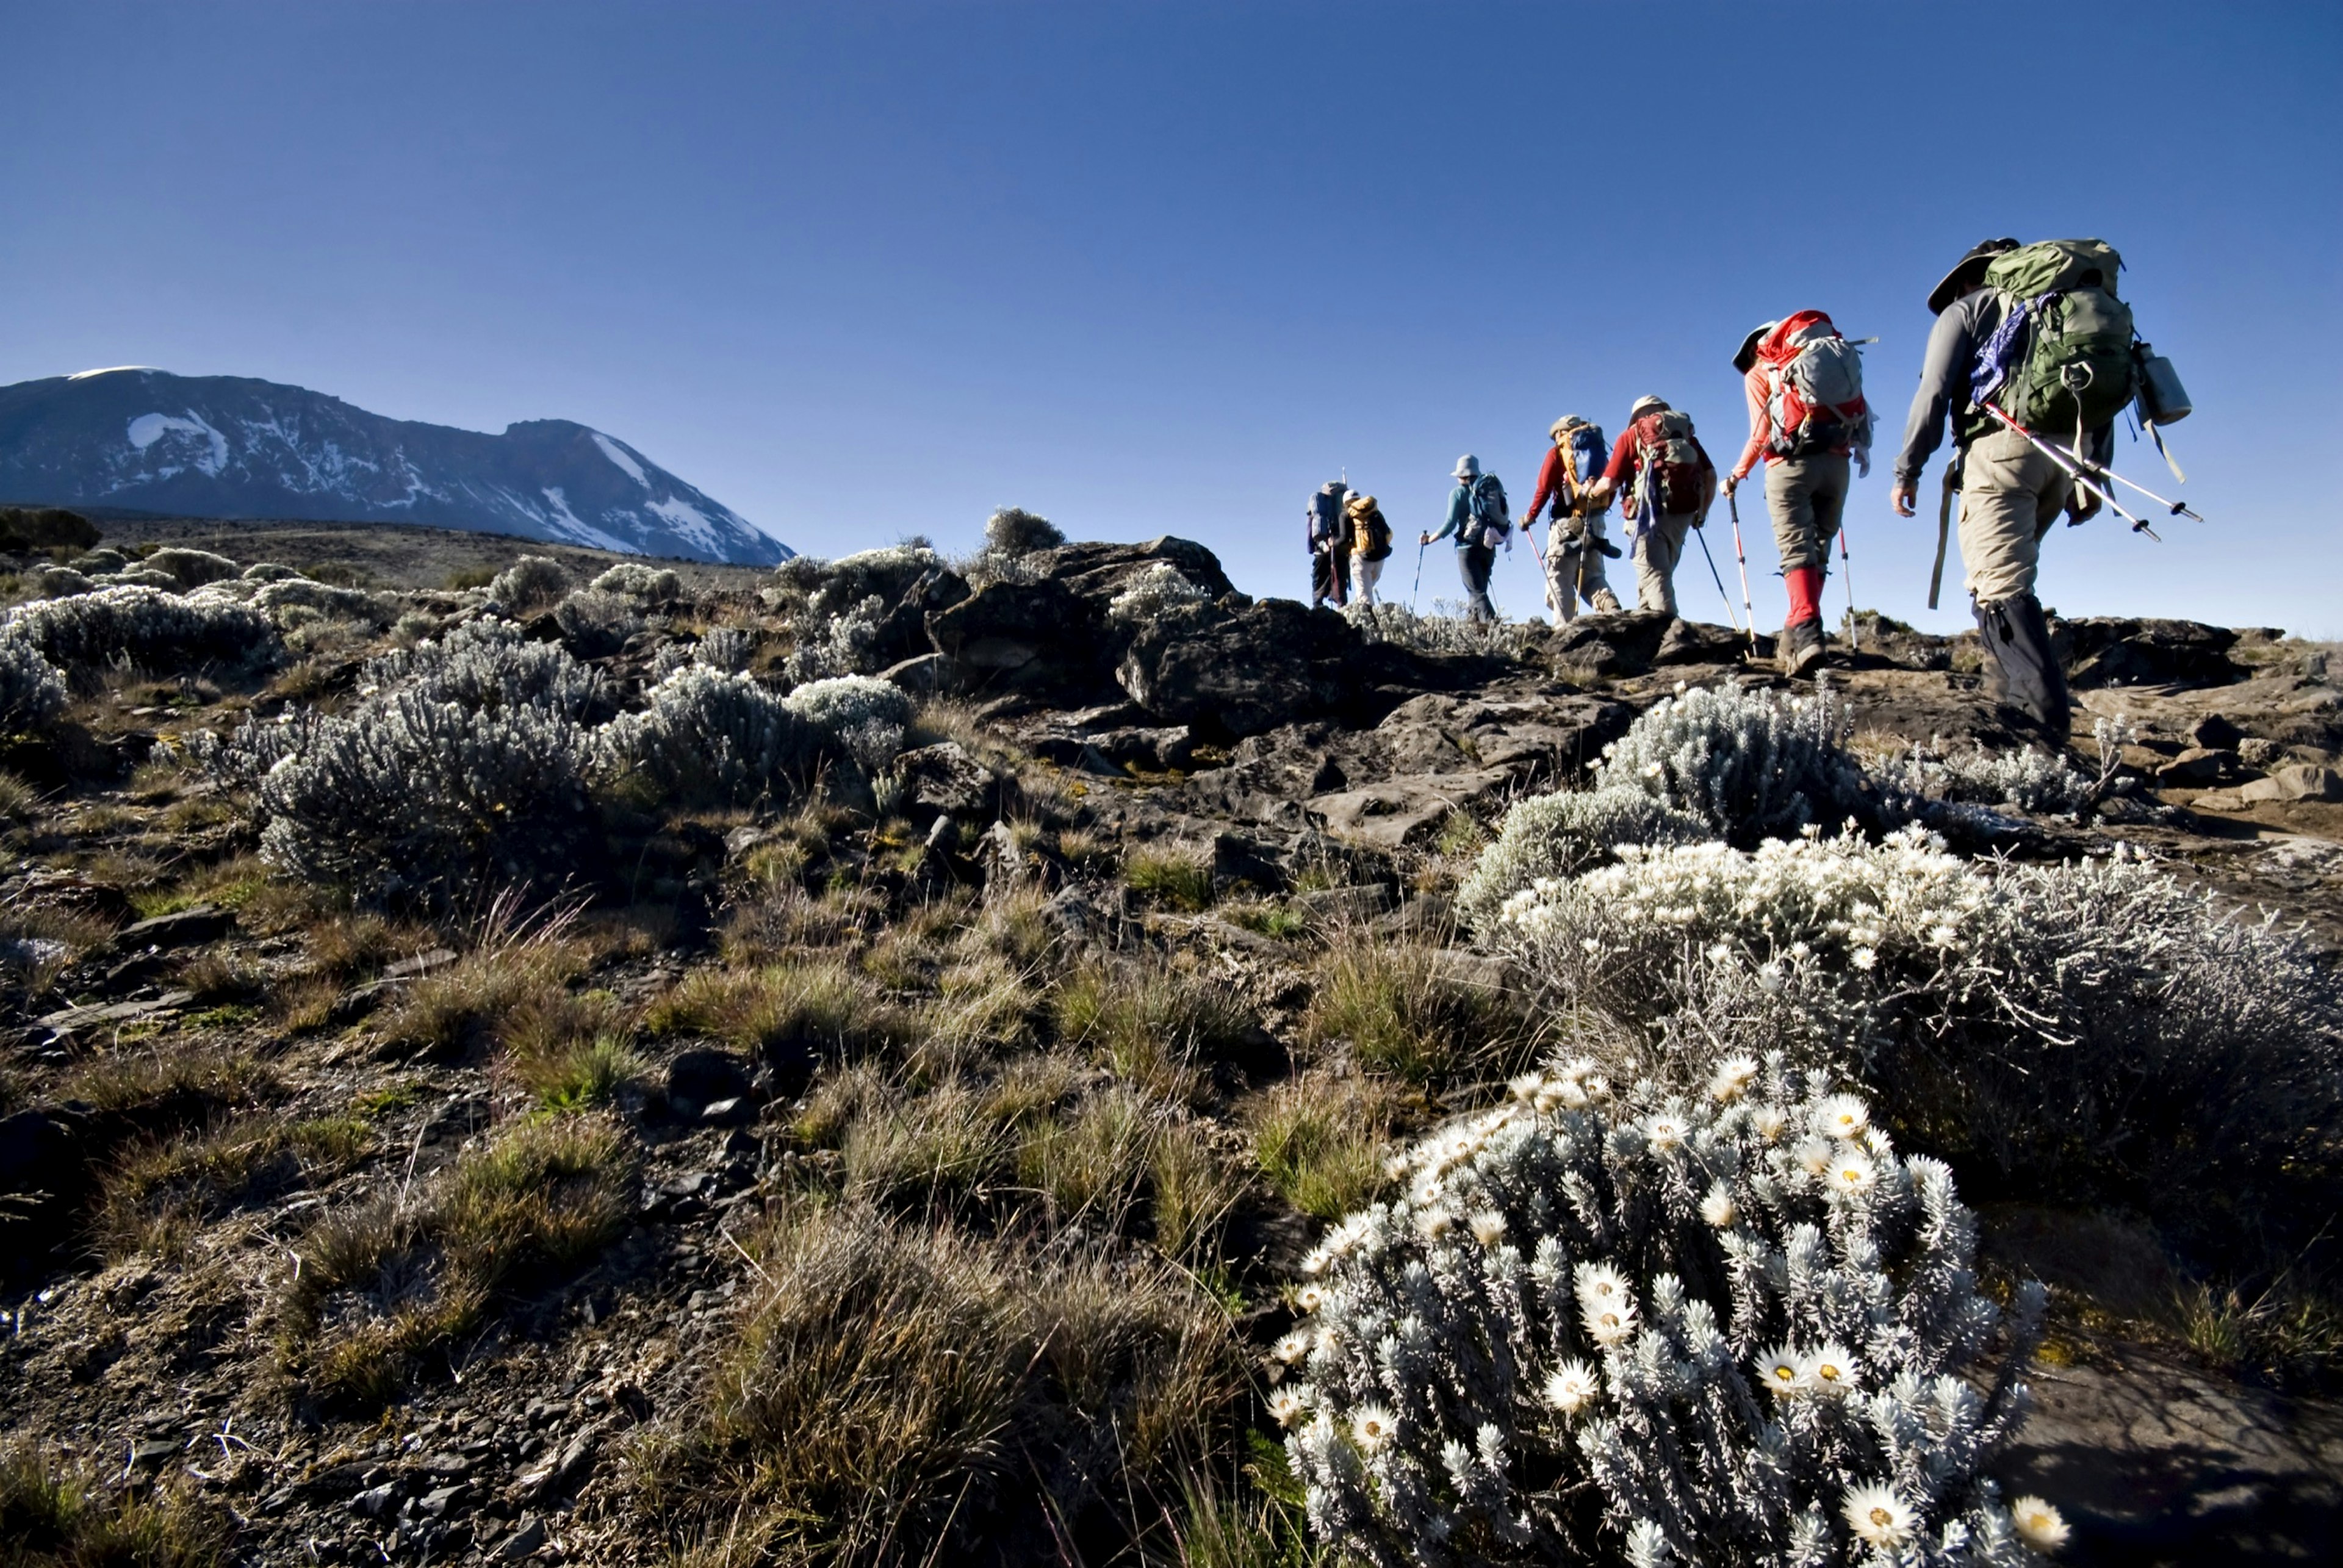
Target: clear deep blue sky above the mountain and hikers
{"x": 863, "y": 271}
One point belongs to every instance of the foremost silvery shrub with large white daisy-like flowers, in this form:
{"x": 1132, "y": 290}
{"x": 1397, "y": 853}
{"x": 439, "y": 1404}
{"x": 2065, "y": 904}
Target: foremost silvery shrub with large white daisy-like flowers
{"x": 1714, "y": 1328}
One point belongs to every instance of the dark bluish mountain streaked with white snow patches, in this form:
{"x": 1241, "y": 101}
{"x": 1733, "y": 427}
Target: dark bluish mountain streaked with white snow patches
{"x": 228, "y": 446}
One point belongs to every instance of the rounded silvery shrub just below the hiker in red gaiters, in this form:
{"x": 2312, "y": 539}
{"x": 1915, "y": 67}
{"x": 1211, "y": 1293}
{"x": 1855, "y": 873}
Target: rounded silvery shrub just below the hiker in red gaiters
{"x": 1751, "y": 763}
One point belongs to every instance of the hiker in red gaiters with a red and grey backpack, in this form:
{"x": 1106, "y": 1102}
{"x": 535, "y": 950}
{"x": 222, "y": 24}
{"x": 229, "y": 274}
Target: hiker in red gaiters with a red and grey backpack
{"x": 1808, "y": 421}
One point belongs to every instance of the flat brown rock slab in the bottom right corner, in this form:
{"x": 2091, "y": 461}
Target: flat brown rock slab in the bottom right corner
{"x": 2161, "y": 1464}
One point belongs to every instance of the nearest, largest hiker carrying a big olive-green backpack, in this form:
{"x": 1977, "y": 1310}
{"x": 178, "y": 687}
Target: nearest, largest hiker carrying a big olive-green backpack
{"x": 1990, "y": 322}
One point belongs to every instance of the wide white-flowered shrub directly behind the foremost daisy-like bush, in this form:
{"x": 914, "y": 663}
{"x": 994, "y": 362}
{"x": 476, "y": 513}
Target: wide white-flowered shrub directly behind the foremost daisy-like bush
{"x": 2100, "y": 1030}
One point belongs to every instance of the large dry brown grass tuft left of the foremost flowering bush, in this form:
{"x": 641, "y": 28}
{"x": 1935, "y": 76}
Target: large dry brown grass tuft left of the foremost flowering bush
{"x": 866, "y": 1407}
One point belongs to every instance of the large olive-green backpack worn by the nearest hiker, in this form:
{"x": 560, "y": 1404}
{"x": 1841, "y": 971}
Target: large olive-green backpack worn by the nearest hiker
{"x": 2063, "y": 357}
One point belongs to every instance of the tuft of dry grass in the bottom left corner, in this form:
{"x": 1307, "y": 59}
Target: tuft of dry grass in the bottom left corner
{"x": 57, "y": 1513}
